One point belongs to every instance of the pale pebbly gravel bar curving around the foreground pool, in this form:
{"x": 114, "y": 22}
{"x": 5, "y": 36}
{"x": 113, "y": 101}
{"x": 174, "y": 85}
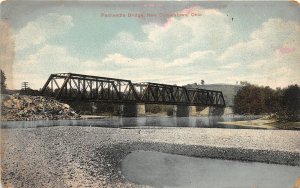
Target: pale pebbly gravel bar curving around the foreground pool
{"x": 65, "y": 156}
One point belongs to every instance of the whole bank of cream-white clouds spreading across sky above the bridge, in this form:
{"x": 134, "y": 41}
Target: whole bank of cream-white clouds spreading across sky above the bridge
{"x": 182, "y": 50}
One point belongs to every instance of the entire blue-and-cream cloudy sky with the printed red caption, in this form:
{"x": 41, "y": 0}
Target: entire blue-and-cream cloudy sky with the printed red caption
{"x": 165, "y": 42}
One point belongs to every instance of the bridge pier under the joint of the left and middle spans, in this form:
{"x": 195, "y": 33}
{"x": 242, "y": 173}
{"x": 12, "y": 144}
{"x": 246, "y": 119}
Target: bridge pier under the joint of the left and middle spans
{"x": 132, "y": 110}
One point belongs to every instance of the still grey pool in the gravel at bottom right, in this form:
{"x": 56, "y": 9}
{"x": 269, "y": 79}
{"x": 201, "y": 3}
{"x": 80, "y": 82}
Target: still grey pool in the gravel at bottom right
{"x": 167, "y": 170}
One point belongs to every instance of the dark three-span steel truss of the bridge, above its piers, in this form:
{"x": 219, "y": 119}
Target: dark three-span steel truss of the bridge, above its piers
{"x": 71, "y": 87}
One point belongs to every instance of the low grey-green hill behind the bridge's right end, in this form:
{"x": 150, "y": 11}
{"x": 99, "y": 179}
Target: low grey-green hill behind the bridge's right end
{"x": 229, "y": 91}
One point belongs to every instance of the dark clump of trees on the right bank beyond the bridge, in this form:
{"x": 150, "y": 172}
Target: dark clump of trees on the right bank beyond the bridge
{"x": 251, "y": 99}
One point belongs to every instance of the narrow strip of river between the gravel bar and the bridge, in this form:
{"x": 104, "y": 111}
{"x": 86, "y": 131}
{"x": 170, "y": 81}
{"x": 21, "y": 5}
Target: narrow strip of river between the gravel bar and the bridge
{"x": 125, "y": 122}
